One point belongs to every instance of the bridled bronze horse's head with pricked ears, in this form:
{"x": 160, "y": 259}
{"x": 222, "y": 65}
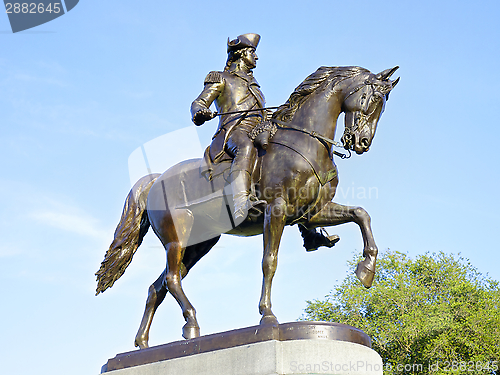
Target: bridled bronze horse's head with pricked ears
{"x": 363, "y": 105}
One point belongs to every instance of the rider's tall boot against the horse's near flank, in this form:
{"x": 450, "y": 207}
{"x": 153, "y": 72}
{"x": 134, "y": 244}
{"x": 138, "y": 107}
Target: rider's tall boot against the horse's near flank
{"x": 244, "y": 201}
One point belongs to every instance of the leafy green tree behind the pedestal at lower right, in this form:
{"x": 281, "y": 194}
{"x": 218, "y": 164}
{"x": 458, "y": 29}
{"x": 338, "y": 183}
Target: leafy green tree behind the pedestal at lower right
{"x": 436, "y": 310}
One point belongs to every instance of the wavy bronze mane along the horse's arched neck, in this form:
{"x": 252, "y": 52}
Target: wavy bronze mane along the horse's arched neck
{"x": 320, "y": 78}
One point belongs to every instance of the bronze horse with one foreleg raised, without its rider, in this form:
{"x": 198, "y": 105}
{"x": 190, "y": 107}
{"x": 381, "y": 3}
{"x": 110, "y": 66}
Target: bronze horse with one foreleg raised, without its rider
{"x": 189, "y": 209}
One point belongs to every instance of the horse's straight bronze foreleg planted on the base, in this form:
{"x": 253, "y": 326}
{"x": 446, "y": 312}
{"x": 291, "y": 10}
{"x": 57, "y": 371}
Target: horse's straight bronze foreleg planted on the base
{"x": 274, "y": 223}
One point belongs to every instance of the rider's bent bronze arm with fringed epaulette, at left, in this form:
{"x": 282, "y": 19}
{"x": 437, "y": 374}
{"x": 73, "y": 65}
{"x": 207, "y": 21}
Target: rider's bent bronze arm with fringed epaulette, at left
{"x": 214, "y": 84}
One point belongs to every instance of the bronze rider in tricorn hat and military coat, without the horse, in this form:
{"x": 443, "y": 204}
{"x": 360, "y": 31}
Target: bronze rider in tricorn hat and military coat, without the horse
{"x": 235, "y": 89}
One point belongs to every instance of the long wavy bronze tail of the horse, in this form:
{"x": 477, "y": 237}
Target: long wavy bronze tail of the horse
{"x": 129, "y": 233}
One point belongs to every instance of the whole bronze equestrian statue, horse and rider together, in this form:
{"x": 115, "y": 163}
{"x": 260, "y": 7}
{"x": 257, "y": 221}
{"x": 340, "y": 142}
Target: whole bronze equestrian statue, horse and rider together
{"x": 293, "y": 180}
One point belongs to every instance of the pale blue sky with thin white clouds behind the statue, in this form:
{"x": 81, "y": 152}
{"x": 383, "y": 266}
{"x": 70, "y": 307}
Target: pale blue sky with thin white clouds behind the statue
{"x": 79, "y": 94}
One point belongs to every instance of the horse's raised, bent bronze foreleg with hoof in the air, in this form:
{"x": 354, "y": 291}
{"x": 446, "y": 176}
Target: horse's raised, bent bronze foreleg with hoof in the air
{"x": 335, "y": 214}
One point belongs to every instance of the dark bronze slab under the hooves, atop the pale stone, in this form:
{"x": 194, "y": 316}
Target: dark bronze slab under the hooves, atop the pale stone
{"x": 243, "y": 336}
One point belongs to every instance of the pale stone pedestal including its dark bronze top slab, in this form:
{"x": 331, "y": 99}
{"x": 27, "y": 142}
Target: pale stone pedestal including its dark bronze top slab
{"x": 291, "y": 348}
